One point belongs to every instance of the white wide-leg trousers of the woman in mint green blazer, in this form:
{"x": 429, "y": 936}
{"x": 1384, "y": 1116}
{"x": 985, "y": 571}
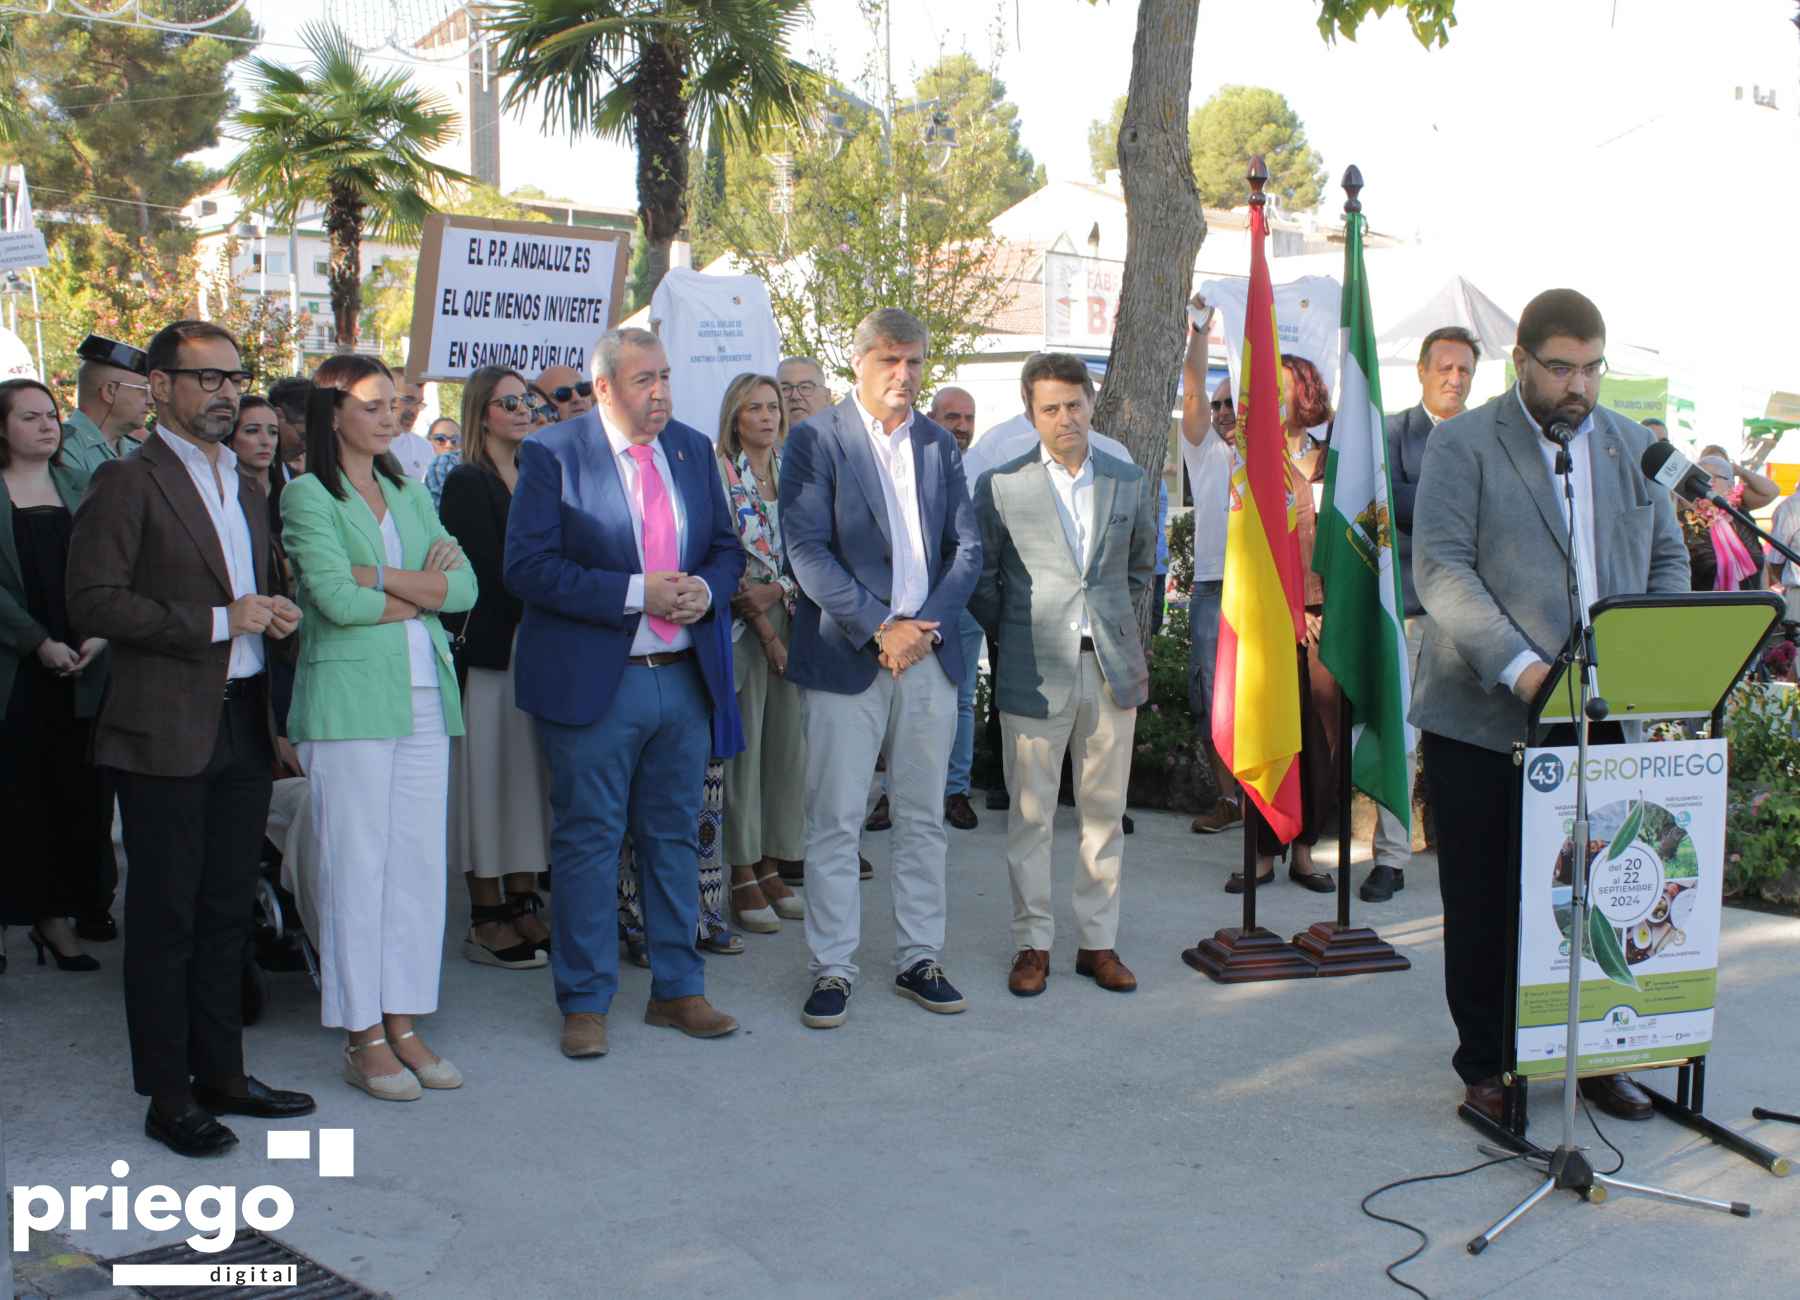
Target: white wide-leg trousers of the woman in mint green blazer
{"x": 379, "y": 818}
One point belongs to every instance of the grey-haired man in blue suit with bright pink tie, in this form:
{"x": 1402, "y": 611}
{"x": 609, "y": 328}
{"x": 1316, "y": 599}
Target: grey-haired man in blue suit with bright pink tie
{"x": 622, "y": 548}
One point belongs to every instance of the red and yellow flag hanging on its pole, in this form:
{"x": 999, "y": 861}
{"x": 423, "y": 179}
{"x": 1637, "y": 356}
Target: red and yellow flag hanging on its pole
{"x": 1257, "y": 687}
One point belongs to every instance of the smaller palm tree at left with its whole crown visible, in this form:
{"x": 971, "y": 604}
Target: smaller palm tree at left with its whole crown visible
{"x": 357, "y": 143}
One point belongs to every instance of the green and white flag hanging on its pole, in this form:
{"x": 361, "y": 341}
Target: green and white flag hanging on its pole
{"x": 1365, "y": 638}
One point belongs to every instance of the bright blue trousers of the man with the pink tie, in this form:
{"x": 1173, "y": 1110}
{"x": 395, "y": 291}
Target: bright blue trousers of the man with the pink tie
{"x": 640, "y": 770}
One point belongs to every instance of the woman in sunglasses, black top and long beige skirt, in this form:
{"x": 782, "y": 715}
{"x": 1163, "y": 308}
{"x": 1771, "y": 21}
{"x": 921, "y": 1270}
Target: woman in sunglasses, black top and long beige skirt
{"x": 499, "y": 782}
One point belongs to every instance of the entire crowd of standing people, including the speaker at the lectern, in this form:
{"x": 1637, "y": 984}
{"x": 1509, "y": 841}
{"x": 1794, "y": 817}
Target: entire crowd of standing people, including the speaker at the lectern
{"x": 678, "y": 674}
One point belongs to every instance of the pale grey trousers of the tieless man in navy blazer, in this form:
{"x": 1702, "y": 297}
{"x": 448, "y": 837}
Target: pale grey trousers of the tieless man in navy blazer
{"x": 915, "y": 721}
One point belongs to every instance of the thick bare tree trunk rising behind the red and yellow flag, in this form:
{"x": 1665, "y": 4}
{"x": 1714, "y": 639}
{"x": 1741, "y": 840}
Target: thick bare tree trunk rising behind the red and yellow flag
{"x": 1164, "y": 231}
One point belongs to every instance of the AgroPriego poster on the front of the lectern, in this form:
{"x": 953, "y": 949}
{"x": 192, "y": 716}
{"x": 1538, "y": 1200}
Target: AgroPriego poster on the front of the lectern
{"x": 1657, "y": 869}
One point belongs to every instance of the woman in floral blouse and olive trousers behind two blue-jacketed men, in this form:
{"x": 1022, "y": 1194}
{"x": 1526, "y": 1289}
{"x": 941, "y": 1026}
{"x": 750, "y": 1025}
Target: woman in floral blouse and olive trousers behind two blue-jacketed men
{"x": 766, "y": 813}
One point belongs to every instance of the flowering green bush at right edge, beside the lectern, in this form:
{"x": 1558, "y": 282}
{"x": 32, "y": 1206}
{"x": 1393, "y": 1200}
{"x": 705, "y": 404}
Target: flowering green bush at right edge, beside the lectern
{"x": 1763, "y": 811}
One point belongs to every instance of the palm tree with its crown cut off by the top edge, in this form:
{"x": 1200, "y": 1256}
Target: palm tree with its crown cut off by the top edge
{"x": 661, "y": 75}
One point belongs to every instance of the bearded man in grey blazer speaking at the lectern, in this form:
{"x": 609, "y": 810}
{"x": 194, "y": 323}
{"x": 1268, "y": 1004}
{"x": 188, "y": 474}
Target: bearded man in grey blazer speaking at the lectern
{"x": 1489, "y": 561}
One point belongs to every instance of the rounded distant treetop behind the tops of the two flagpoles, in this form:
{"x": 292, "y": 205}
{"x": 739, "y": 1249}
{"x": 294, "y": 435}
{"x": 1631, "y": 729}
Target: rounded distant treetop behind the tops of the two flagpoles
{"x": 1243, "y": 122}
